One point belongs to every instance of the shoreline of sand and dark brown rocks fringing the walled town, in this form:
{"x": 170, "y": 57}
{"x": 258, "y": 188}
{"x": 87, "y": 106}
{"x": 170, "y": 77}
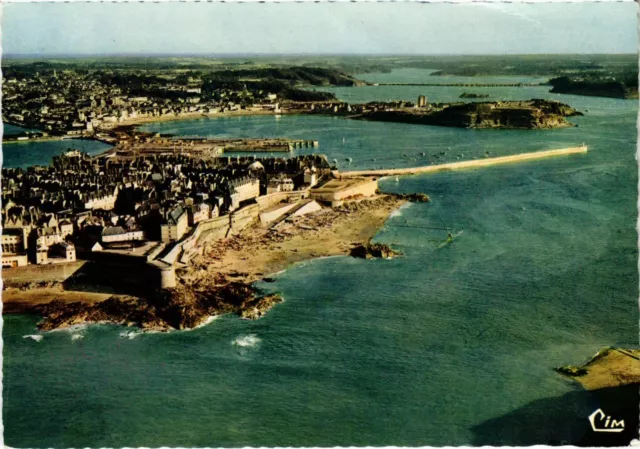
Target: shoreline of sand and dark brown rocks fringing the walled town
{"x": 221, "y": 281}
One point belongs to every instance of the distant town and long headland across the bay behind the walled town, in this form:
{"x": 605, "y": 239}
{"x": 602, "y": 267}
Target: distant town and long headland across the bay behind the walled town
{"x": 96, "y": 104}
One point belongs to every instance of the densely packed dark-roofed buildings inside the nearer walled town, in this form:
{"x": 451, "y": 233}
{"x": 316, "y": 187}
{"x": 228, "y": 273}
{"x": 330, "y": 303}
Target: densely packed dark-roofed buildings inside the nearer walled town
{"x": 100, "y": 204}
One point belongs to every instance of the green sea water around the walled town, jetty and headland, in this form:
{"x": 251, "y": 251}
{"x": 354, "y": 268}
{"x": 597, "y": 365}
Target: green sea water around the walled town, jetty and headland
{"x": 451, "y": 345}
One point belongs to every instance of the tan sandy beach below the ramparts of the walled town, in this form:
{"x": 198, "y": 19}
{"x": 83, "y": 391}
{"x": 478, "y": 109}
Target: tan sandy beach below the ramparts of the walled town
{"x": 257, "y": 252}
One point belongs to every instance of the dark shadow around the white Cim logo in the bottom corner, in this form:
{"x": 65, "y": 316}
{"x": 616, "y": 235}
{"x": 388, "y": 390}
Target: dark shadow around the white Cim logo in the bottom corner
{"x": 564, "y": 420}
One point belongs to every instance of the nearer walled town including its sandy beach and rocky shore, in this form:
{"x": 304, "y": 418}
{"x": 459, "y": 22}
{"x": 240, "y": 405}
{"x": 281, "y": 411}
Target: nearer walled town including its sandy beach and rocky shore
{"x": 148, "y": 225}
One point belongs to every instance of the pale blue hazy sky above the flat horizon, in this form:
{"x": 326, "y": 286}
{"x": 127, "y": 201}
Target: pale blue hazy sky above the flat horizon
{"x": 49, "y": 29}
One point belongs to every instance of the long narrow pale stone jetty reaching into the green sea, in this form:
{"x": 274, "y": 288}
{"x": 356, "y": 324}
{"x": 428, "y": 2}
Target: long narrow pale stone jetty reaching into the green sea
{"x": 466, "y": 164}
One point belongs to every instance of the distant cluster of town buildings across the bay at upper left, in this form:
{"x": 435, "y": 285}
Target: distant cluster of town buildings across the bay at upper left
{"x": 81, "y": 103}
